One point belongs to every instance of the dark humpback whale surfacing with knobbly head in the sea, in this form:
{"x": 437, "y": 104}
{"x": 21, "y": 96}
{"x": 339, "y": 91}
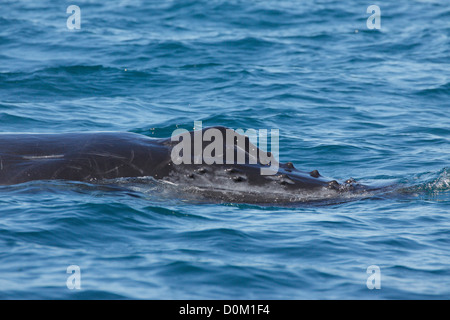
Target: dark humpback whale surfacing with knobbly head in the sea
{"x": 99, "y": 156}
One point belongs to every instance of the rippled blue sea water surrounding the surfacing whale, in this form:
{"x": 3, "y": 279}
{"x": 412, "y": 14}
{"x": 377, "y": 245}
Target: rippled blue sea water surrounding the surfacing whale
{"x": 372, "y": 104}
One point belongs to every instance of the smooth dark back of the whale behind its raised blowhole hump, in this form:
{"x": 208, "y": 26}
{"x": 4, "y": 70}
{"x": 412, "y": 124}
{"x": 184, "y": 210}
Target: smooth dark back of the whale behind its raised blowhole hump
{"x": 79, "y": 156}
